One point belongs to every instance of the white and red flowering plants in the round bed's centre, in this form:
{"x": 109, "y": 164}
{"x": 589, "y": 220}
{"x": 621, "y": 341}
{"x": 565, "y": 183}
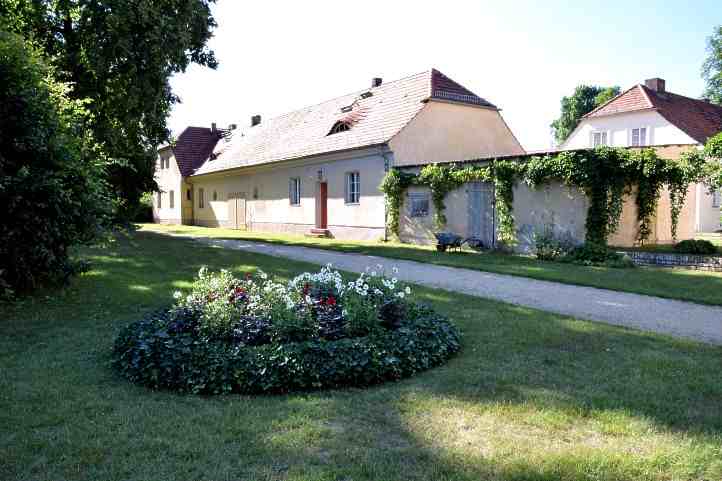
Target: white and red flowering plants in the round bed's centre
{"x": 257, "y": 309}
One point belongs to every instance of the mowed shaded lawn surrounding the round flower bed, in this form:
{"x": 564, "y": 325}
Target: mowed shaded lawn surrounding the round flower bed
{"x": 531, "y": 396}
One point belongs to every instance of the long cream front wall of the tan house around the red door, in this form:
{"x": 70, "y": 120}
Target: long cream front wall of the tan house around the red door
{"x": 268, "y": 207}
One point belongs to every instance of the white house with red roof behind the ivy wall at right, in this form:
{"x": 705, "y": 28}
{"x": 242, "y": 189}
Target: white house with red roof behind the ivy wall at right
{"x": 649, "y": 115}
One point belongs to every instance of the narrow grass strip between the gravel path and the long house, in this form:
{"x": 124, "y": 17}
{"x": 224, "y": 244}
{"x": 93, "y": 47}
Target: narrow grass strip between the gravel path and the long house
{"x": 689, "y": 285}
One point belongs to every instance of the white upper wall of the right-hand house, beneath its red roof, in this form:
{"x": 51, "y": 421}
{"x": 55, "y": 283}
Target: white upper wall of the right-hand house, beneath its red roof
{"x": 618, "y": 128}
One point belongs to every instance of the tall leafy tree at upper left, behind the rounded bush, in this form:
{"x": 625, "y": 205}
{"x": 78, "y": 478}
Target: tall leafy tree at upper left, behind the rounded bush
{"x": 120, "y": 54}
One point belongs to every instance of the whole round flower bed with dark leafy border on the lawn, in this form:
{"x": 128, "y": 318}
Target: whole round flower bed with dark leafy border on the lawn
{"x": 254, "y": 335}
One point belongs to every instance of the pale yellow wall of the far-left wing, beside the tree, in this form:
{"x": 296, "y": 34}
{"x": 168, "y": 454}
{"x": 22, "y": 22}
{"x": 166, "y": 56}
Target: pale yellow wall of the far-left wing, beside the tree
{"x": 170, "y": 183}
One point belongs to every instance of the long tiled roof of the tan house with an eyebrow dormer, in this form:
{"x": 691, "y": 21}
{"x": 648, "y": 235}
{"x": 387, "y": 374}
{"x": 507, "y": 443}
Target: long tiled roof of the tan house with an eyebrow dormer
{"x": 373, "y": 120}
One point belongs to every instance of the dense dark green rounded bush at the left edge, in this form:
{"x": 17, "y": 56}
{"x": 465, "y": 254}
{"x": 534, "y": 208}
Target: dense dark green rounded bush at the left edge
{"x": 52, "y": 187}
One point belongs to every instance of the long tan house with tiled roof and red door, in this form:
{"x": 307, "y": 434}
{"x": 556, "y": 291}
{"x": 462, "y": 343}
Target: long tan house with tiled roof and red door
{"x": 317, "y": 170}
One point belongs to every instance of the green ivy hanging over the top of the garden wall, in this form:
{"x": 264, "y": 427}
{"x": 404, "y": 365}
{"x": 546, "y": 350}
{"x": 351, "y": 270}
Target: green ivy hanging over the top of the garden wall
{"x": 605, "y": 175}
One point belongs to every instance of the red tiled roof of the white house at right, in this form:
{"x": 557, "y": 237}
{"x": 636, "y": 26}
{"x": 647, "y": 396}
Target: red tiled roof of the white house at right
{"x": 697, "y": 118}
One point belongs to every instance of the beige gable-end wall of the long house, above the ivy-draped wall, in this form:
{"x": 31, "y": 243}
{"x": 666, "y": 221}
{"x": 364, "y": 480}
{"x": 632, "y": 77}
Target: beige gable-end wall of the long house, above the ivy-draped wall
{"x": 445, "y": 131}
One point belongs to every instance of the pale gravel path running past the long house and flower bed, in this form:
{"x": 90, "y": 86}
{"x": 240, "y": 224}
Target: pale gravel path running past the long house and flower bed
{"x": 676, "y": 318}
